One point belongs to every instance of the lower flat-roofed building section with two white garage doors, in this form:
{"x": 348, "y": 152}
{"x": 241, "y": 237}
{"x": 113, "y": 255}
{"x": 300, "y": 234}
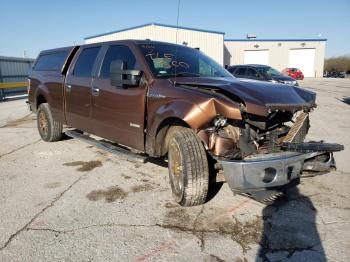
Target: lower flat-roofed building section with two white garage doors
{"x": 305, "y": 54}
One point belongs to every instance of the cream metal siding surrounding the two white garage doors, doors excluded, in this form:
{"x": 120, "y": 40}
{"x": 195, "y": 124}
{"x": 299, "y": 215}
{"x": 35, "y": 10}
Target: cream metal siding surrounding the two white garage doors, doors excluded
{"x": 278, "y": 52}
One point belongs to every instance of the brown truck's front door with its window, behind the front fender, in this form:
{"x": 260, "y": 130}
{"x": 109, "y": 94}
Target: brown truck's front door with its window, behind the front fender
{"x": 118, "y": 114}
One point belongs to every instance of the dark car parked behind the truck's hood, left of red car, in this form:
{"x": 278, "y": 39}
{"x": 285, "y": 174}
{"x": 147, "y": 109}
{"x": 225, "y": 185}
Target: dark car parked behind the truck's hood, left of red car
{"x": 261, "y": 73}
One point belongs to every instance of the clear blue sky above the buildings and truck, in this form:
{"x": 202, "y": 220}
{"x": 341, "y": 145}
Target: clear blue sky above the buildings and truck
{"x": 37, "y": 24}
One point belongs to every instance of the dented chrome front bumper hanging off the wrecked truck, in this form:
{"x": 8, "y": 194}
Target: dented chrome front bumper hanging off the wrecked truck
{"x": 268, "y": 171}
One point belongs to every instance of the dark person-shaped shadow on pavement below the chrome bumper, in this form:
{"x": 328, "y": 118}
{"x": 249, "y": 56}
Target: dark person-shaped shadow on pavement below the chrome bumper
{"x": 290, "y": 230}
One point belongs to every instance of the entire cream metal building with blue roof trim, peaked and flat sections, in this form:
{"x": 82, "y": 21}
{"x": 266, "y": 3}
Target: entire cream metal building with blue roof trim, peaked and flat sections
{"x": 305, "y": 54}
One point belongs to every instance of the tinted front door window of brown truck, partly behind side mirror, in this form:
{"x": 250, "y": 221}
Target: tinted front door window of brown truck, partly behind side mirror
{"x": 117, "y": 52}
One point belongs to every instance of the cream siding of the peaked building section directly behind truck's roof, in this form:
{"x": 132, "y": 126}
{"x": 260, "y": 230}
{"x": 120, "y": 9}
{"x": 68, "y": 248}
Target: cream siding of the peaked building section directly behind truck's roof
{"x": 211, "y": 44}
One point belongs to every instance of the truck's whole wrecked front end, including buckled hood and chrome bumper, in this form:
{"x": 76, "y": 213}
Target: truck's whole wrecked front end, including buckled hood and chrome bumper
{"x": 262, "y": 151}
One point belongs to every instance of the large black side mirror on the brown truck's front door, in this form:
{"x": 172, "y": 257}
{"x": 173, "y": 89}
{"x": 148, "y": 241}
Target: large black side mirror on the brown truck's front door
{"x": 122, "y": 77}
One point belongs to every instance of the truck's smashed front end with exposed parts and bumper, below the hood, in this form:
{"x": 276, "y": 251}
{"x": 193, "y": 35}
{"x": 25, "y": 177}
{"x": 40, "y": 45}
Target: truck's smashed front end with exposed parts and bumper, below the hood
{"x": 261, "y": 156}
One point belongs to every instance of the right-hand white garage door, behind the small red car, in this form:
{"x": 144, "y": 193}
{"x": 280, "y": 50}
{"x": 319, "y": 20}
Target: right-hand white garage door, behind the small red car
{"x": 304, "y": 59}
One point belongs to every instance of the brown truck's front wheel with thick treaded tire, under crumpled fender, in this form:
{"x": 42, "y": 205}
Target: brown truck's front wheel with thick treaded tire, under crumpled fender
{"x": 188, "y": 167}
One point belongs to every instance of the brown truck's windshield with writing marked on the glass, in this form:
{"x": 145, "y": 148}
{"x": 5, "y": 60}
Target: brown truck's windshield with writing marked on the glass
{"x": 167, "y": 60}
